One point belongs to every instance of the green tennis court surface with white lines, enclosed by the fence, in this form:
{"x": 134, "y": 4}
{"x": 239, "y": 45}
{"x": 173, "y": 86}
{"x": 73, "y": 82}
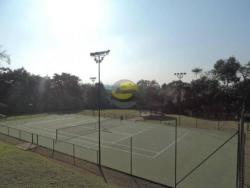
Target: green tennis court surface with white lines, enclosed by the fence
{"x": 144, "y": 149}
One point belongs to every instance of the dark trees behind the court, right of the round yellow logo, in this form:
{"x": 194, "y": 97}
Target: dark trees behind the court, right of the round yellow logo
{"x": 222, "y": 90}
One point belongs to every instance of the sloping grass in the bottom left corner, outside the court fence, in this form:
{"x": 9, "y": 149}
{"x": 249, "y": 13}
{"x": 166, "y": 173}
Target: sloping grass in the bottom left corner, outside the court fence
{"x": 26, "y": 169}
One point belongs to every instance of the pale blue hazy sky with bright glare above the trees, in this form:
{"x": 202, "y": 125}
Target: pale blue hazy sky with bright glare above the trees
{"x": 147, "y": 39}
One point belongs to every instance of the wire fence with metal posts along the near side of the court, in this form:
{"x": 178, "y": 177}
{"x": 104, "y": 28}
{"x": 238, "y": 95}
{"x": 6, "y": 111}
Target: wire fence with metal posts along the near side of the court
{"x": 77, "y": 151}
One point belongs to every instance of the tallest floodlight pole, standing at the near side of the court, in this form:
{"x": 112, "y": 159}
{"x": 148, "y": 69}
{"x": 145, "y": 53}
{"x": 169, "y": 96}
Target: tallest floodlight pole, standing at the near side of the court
{"x": 98, "y": 57}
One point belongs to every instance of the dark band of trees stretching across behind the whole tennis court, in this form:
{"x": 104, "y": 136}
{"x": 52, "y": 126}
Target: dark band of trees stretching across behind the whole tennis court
{"x": 220, "y": 90}
